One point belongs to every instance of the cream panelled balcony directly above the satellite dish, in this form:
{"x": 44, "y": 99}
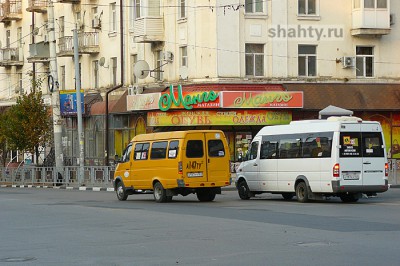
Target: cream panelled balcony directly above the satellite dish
{"x": 148, "y": 29}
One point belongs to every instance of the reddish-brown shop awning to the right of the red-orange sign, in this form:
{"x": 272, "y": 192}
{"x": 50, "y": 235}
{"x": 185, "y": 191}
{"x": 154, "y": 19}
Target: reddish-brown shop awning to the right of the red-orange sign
{"x": 355, "y": 97}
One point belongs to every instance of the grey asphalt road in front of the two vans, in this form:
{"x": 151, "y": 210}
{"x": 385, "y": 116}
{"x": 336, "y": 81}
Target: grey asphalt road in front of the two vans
{"x": 71, "y": 227}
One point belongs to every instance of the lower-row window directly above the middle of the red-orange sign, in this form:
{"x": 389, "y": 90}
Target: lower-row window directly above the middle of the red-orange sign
{"x": 254, "y": 59}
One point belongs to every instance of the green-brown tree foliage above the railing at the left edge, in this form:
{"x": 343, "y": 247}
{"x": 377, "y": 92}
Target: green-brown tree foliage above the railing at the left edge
{"x": 27, "y": 124}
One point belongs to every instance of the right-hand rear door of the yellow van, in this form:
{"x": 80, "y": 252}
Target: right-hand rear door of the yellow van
{"x": 218, "y": 168}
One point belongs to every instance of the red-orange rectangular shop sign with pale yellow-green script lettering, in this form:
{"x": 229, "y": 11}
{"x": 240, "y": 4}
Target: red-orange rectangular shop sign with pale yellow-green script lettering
{"x": 262, "y": 99}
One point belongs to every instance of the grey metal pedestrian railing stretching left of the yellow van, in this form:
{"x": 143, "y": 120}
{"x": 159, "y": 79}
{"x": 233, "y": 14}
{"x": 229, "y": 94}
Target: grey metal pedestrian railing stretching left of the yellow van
{"x": 51, "y": 176}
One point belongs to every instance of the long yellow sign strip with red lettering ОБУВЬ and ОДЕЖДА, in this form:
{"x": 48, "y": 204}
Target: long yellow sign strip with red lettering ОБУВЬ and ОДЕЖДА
{"x": 214, "y": 117}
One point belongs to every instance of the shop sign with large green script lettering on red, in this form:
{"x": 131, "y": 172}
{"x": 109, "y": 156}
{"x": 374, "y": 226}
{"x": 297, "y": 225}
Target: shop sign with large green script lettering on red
{"x": 188, "y": 100}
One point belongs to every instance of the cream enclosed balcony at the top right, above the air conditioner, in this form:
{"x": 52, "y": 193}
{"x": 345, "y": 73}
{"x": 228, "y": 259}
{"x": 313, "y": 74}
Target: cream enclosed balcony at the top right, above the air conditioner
{"x": 372, "y": 22}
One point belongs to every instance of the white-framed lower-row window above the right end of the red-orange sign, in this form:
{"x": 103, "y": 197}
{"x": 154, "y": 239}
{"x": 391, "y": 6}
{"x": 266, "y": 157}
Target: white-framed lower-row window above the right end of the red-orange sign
{"x": 307, "y": 60}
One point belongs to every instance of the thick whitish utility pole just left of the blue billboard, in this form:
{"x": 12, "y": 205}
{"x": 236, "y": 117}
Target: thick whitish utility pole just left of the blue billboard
{"x": 55, "y": 94}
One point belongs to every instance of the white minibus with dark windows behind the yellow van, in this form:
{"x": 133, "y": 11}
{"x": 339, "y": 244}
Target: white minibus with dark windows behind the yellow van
{"x": 315, "y": 159}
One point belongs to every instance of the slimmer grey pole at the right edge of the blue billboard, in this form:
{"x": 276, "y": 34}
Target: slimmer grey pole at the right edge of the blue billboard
{"x": 81, "y": 137}
